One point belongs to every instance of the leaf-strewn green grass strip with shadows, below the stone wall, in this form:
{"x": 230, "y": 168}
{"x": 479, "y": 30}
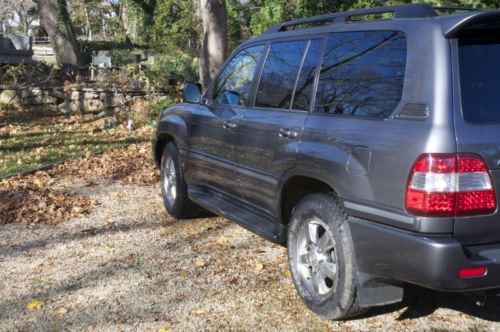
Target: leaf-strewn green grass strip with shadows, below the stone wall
{"x": 30, "y": 140}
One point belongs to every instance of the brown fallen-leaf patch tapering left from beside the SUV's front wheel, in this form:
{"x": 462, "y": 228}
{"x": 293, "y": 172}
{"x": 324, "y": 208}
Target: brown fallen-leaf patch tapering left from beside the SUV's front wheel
{"x": 132, "y": 165}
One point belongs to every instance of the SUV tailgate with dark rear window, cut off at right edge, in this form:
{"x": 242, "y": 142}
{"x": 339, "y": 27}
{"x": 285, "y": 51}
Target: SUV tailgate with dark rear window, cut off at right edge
{"x": 477, "y": 117}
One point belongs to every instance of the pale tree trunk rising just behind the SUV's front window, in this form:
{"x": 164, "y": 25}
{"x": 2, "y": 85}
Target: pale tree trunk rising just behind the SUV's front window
{"x": 214, "y": 45}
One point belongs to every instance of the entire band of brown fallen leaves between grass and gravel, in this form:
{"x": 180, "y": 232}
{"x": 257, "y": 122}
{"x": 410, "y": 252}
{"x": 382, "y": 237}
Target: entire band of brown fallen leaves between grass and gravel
{"x": 35, "y": 199}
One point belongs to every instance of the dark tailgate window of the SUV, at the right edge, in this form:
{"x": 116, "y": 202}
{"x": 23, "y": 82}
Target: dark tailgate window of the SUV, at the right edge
{"x": 480, "y": 78}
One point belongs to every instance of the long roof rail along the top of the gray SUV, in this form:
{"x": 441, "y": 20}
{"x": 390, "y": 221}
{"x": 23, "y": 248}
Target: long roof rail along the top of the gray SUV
{"x": 401, "y": 11}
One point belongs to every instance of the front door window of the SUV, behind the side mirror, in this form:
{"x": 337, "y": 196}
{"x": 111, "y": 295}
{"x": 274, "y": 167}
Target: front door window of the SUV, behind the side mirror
{"x": 235, "y": 81}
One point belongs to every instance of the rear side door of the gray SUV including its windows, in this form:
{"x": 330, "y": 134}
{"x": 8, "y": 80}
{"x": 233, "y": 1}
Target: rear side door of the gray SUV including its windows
{"x": 270, "y": 132}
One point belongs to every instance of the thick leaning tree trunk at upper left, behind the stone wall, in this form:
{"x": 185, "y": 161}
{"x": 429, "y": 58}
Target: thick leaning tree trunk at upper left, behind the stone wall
{"x": 56, "y": 22}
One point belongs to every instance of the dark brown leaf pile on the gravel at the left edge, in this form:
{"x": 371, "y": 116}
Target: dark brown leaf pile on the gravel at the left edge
{"x": 32, "y": 199}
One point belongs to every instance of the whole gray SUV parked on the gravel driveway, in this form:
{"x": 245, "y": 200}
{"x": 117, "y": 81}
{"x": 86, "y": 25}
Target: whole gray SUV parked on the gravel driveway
{"x": 367, "y": 142}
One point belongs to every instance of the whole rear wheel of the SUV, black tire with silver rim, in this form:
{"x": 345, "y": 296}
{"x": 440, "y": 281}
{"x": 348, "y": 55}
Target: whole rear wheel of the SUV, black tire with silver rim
{"x": 321, "y": 257}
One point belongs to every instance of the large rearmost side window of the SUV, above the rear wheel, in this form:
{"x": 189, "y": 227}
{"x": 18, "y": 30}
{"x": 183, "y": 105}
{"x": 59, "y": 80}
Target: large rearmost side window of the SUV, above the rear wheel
{"x": 362, "y": 74}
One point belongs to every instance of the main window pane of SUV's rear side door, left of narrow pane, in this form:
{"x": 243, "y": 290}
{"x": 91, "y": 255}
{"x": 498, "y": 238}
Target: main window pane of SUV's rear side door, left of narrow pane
{"x": 280, "y": 74}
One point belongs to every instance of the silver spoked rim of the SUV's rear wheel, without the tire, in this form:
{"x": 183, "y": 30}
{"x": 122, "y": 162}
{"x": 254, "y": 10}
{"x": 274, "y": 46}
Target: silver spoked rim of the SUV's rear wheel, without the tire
{"x": 316, "y": 257}
